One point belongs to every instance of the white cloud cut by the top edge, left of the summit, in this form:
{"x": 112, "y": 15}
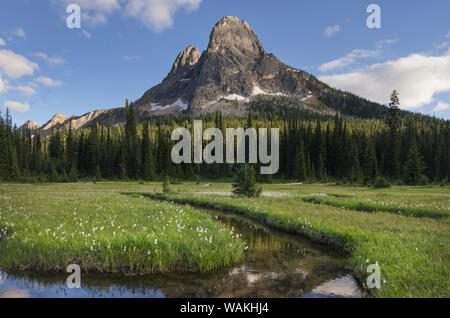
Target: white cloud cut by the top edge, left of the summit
{"x": 158, "y": 15}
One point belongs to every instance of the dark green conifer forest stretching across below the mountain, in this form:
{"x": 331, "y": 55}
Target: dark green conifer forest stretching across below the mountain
{"x": 314, "y": 146}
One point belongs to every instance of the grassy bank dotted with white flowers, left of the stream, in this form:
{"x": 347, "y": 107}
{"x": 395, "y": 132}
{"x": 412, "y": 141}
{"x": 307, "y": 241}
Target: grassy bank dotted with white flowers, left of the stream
{"x": 45, "y": 228}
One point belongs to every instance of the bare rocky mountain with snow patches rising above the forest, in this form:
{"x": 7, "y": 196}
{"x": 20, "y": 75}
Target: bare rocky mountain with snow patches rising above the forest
{"x": 234, "y": 66}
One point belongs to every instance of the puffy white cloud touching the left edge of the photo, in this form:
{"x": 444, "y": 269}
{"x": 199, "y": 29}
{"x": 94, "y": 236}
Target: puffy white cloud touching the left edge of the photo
{"x": 14, "y": 65}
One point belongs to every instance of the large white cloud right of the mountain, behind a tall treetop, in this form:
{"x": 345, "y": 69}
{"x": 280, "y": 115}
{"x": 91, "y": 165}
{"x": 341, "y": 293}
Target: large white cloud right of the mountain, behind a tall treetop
{"x": 417, "y": 77}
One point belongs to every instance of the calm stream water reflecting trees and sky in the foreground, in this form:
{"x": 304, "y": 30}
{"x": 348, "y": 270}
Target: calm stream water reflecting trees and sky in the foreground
{"x": 274, "y": 265}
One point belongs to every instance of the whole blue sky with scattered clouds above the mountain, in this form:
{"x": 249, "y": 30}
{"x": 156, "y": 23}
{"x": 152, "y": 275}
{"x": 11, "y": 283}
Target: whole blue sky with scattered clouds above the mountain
{"x": 127, "y": 46}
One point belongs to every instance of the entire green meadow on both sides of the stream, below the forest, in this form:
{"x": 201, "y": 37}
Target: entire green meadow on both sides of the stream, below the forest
{"x": 133, "y": 227}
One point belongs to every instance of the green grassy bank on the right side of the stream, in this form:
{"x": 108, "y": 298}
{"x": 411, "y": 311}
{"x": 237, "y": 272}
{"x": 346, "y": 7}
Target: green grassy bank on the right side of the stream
{"x": 412, "y": 252}
